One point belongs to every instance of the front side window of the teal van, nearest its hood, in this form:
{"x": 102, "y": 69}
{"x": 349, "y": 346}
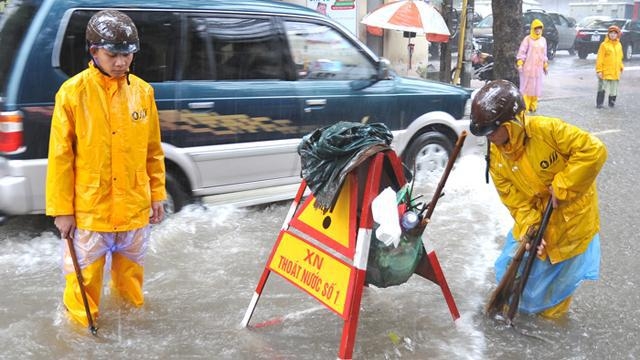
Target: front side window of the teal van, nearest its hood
{"x": 321, "y": 52}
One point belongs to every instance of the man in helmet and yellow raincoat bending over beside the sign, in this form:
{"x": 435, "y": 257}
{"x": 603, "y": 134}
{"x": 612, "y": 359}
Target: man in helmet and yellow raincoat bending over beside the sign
{"x": 533, "y": 160}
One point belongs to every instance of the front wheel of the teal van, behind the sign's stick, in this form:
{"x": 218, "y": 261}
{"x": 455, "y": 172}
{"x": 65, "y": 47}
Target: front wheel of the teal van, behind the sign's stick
{"x": 428, "y": 154}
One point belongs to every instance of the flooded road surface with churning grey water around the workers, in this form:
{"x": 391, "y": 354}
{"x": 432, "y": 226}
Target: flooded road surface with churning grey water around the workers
{"x": 203, "y": 266}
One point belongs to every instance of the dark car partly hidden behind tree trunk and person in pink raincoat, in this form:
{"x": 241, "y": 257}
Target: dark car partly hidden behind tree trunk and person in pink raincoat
{"x": 483, "y": 32}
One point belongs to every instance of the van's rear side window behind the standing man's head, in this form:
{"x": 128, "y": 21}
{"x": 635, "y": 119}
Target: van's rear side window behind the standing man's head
{"x": 155, "y": 62}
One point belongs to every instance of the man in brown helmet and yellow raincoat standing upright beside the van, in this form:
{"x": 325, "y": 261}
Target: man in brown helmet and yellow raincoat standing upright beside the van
{"x": 105, "y": 175}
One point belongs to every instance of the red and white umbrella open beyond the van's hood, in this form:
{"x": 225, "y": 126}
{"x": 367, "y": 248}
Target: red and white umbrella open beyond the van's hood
{"x": 412, "y": 16}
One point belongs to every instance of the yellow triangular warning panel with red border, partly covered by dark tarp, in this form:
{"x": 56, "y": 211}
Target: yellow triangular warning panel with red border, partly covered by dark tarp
{"x": 336, "y": 228}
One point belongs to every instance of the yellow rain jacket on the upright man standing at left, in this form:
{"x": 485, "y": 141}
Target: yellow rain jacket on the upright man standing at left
{"x": 106, "y": 163}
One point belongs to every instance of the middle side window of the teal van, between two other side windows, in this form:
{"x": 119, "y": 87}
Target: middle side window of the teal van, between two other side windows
{"x": 233, "y": 48}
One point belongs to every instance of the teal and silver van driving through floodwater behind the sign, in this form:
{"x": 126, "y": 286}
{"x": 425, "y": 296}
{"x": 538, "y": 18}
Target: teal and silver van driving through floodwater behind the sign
{"x": 237, "y": 85}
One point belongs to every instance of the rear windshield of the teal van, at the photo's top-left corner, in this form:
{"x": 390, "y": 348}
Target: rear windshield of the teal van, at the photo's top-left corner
{"x": 14, "y": 22}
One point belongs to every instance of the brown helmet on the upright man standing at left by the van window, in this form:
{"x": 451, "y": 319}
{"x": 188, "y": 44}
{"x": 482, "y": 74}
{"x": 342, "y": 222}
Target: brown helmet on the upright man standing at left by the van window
{"x": 114, "y": 31}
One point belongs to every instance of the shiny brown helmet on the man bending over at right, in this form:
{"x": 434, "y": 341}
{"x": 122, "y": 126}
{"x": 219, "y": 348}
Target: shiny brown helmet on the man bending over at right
{"x": 495, "y": 103}
